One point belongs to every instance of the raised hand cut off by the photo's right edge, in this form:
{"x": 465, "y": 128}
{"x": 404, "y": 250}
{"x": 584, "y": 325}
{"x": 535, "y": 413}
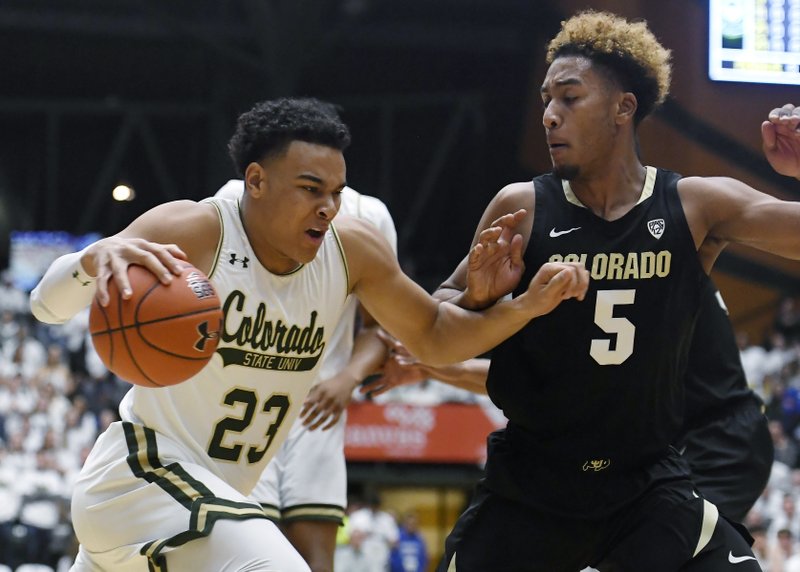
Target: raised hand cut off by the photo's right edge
{"x": 780, "y": 136}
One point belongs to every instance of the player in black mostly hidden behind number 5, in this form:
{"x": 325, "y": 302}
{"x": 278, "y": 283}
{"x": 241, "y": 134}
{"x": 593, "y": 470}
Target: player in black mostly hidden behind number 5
{"x": 724, "y": 438}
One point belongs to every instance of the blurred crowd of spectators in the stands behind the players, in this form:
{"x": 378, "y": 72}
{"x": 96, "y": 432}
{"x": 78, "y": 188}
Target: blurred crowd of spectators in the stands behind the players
{"x": 56, "y": 396}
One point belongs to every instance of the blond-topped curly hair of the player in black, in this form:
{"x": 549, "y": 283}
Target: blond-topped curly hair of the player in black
{"x": 636, "y": 60}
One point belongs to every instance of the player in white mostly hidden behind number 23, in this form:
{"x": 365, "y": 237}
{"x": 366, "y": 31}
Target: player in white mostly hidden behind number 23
{"x": 304, "y": 487}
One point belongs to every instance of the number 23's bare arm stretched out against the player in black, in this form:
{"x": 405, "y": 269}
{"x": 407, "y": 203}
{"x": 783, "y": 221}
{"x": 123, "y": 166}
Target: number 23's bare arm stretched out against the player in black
{"x": 440, "y": 333}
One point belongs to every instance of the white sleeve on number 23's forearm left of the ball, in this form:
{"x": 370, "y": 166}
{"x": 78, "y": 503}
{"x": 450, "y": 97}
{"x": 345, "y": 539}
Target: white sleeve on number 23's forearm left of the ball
{"x": 66, "y": 289}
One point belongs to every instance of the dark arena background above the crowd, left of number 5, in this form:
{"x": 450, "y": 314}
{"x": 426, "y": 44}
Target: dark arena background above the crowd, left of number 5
{"x": 95, "y": 92}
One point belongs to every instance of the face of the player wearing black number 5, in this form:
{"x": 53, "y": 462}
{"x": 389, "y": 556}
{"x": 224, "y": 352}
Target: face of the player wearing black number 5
{"x": 577, "y": 117}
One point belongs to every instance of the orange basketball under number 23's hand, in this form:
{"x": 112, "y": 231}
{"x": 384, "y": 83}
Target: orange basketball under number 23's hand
{"x": 163, "y": 334}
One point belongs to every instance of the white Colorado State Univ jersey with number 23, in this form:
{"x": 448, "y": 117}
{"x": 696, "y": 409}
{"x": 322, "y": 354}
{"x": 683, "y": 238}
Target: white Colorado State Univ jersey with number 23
{"x": 233, "y": 415}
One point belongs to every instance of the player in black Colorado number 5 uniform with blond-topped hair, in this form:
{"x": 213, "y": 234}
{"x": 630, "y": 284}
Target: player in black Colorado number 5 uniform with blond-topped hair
{"x": 585, "y": 472}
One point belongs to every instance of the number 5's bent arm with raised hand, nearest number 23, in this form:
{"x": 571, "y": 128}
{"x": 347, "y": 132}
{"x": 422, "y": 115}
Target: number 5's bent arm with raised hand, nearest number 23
{"x": 476, "y": 287}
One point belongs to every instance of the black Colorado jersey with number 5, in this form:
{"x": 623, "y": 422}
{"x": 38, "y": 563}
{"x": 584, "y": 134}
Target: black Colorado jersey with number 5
{"x": 596, "y": 386}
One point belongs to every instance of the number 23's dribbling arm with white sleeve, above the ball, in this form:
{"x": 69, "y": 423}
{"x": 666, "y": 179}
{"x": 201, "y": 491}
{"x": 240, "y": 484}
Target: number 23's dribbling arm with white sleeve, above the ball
{"x": 161, "y": 239}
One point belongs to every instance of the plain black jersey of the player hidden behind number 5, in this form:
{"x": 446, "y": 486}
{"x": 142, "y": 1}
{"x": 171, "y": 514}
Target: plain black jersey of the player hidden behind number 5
{"x": 715, "y": 378}
